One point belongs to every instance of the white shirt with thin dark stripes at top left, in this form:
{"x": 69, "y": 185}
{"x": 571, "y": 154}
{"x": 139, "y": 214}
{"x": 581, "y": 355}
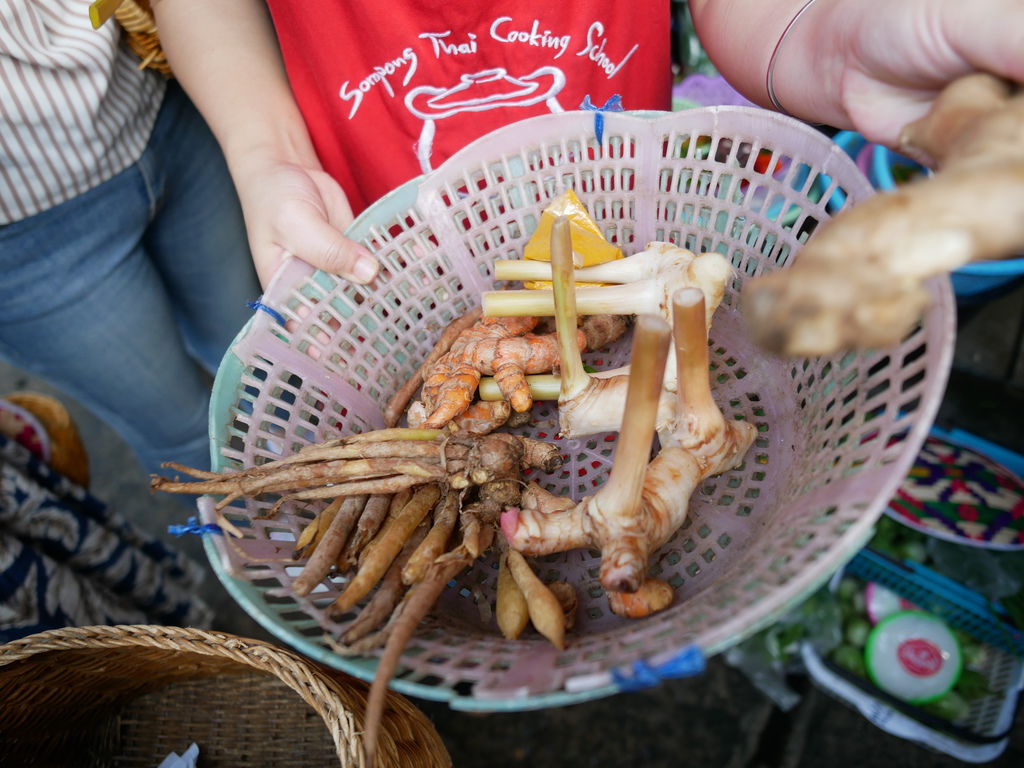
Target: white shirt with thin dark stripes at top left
{"x": 74, "y": 108}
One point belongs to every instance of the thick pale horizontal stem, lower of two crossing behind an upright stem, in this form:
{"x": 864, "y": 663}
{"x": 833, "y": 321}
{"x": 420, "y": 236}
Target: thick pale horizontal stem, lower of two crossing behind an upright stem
{"x": 632, "y": 298}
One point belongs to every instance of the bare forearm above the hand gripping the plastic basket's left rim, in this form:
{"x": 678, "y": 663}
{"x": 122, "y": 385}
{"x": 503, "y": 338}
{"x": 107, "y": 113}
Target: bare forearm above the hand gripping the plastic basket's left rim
{"x": 227, "y": 58}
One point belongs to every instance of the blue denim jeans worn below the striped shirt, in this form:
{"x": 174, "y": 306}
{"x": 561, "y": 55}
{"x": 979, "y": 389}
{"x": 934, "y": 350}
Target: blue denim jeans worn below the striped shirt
{"x": 121, "y": 297}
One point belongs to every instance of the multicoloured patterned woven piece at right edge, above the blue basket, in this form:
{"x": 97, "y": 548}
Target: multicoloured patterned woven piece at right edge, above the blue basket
{"x": 955, "y": 493}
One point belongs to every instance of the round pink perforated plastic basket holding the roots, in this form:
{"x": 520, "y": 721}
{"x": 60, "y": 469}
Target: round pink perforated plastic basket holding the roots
{"x": 837, "y": 436}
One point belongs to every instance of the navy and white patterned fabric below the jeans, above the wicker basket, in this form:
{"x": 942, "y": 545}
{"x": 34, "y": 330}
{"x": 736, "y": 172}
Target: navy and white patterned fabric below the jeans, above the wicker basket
{"x": 67, "y": 560}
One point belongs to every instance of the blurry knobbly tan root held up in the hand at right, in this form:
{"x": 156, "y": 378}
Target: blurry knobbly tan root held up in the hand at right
{"x": 859, "y": 282}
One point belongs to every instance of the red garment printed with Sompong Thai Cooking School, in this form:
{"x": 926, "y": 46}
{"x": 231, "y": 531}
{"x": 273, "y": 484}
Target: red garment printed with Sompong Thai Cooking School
{"x": 390, "y": 91}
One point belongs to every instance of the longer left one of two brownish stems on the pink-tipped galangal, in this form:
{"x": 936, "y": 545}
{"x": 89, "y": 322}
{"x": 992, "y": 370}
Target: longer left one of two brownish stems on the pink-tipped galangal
{"x": 622, "y": 493}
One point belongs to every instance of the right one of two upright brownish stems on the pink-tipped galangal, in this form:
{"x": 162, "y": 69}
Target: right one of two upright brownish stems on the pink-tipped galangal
{"x": 698, "y": 415}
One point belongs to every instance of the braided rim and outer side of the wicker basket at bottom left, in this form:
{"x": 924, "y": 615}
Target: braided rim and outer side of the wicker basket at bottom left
{"x": 323, "y": 690}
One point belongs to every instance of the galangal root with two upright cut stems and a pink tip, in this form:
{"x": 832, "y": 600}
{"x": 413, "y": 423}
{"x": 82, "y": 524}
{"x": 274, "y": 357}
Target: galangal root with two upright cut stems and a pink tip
{"x": 641, "y": 505}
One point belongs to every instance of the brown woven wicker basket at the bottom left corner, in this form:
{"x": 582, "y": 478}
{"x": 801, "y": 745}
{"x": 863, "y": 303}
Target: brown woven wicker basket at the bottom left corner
{"x": 129, "y": 696}
